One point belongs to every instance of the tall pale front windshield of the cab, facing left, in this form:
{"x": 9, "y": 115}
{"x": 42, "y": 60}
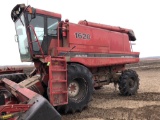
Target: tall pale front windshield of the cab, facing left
{"x": 22, "y": 39}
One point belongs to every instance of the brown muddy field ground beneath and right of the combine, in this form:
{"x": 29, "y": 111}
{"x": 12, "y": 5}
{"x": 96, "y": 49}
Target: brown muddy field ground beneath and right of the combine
{"x": 110, "y": 105}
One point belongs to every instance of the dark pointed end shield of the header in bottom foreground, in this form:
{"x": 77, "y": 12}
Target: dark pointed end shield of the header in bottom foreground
{"x": 40, "y": 110}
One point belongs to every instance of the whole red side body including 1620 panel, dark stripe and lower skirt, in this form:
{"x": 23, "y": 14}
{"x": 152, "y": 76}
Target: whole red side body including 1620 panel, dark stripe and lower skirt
{"x": 103, "y": 48}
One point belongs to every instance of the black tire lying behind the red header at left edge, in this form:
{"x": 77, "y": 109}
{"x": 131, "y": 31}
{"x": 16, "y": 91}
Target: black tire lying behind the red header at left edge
{"x": 15, "y": 77}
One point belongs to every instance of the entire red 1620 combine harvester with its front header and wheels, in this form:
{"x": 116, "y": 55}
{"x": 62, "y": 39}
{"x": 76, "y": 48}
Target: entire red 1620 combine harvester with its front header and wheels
{"x": 71, "y": 60}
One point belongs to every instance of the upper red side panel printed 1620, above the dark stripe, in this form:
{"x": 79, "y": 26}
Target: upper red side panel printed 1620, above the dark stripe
{"x": 111, "y": 41}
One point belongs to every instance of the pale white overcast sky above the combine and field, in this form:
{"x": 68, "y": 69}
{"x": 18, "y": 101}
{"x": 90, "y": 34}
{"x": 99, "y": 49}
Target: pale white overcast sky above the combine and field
{"x": 140, "y": 15}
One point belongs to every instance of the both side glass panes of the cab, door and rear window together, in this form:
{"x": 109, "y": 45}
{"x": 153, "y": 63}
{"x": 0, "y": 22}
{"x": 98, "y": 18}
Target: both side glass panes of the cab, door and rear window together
{"x": 46, "y": 30}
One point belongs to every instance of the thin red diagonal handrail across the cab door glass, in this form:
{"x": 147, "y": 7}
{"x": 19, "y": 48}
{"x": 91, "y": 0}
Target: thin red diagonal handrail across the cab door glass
{"x": 30, "y": 26}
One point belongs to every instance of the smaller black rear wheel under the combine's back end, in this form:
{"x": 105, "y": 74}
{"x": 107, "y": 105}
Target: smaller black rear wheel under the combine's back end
{"x": 128, "y": 83}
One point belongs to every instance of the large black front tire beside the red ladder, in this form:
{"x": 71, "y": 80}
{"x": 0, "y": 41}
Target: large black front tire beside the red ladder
{"x": 81, "y": 76}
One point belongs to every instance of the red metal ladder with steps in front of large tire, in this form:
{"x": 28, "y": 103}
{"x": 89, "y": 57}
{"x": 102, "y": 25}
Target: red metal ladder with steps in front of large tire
{"x": 58, "y": 88}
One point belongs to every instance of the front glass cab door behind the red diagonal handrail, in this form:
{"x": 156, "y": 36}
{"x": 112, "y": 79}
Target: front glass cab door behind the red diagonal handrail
{"x": 38, "y": 23}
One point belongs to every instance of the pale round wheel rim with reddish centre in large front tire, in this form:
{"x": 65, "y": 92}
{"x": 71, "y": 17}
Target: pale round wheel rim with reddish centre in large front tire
{"x": 73, "y": 89}
